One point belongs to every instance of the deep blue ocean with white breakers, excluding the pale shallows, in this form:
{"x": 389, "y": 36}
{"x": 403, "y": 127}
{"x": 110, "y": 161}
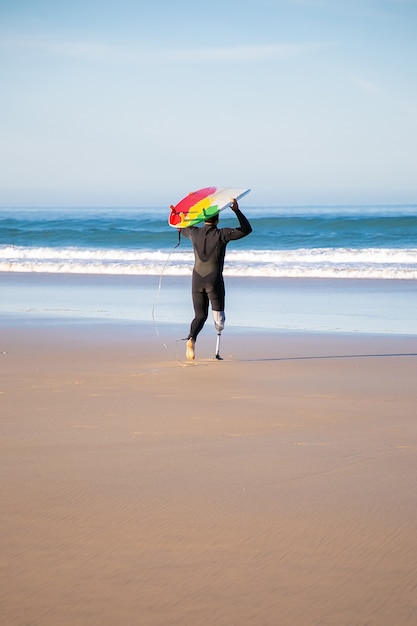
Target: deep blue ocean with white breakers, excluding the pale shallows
{"x": 343, "y": 242}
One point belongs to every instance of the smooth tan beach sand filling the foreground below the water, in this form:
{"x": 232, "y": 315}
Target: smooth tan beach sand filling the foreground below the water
{"x": 276, "y": 487}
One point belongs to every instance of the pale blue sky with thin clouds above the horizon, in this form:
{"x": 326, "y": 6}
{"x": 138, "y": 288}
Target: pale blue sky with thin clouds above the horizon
{"x": 137, "y": 103}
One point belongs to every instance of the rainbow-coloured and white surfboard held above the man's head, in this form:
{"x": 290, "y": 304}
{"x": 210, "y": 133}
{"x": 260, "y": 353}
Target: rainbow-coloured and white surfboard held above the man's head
{"x": 203, "y": 204}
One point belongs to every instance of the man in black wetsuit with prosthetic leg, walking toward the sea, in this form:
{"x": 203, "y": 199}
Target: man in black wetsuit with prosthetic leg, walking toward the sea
{"x": 209, "y": 243}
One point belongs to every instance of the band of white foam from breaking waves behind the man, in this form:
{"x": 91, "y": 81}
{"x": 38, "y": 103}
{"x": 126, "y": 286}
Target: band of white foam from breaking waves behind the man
{"x": 382, "y": 263}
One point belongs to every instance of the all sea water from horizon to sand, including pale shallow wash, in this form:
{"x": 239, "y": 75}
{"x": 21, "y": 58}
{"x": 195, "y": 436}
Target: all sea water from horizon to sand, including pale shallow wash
{"x": 368, "y": 252}
